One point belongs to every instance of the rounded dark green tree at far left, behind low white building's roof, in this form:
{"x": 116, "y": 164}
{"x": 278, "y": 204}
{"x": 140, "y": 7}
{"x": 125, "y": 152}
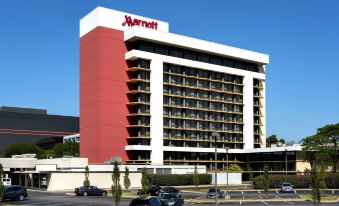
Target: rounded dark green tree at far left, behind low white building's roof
{"x": 24, "y": 148}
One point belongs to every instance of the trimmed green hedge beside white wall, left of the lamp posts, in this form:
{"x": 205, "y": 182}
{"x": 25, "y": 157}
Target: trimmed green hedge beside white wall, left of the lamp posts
{"x": 176, "y": 179}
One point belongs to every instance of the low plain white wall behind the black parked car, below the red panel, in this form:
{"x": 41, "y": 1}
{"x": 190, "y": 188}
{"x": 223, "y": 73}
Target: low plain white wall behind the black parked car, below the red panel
{"x": 69, "y": 181}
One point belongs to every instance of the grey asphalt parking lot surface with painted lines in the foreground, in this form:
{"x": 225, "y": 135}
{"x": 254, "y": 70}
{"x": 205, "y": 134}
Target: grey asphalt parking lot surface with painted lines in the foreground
{"x": 60, "y": 199}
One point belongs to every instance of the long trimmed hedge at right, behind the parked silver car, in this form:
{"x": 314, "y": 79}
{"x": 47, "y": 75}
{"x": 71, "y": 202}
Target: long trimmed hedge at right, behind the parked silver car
{"x": 299, "y": 181}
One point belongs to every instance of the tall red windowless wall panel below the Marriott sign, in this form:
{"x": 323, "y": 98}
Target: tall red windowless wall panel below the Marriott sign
{"x": 103, "y": 110}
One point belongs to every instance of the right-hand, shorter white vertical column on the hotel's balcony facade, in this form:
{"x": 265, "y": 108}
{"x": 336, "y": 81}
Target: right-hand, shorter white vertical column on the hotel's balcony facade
{"x": 248, "y": 112}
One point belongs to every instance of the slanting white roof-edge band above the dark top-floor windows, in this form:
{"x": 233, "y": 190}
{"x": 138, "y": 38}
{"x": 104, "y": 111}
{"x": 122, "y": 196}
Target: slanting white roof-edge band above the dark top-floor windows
{"x": 136, "y": 33}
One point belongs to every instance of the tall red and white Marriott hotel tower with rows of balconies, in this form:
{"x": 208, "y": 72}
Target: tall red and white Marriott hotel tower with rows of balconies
{"x": 149, "y": 96}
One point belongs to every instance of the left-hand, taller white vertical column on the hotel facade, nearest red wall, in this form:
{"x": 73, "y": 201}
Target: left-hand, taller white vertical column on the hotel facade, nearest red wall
{"x": 156, "y": 110}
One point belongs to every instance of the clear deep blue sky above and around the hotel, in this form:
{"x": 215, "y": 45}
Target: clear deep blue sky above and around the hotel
{"x": 39, "y": 51}
